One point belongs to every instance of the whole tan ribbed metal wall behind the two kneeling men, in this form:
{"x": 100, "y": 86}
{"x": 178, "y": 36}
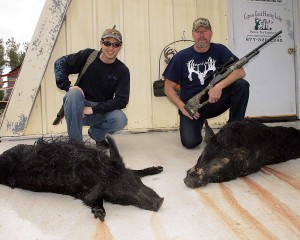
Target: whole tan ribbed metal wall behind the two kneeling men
{"x": 147, "y": 27}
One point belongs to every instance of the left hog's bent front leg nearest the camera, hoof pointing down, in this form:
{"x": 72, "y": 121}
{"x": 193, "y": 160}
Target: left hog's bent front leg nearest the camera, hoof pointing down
{"x": 95, "y": 201}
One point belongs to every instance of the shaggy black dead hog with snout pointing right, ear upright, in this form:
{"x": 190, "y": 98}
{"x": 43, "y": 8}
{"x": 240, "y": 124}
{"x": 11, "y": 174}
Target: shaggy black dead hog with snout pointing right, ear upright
{"x": 79, "y": 170}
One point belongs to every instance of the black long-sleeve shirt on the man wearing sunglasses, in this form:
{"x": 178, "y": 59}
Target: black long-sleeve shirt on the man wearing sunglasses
{"x": 107, "y": 84}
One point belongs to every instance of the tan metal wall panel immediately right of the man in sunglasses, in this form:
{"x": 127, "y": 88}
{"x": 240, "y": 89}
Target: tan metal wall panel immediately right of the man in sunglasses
{"x": 137, "y": 52}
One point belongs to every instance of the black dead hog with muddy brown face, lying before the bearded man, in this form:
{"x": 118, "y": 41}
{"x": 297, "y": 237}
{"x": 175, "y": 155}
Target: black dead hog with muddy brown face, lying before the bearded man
{"x": 241, "y": 148}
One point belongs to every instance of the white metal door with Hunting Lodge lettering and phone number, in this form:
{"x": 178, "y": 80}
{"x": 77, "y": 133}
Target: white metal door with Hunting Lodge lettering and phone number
{"x": 271, "y": 74}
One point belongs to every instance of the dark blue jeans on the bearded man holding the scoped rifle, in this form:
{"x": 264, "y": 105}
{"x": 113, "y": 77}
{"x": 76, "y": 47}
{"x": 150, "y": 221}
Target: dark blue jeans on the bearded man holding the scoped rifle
{"x": 234, "y": 97}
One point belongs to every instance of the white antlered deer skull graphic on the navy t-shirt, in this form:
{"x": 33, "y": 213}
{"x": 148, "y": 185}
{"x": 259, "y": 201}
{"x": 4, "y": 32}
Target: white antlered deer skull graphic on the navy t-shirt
{"x": 210, "y": 65}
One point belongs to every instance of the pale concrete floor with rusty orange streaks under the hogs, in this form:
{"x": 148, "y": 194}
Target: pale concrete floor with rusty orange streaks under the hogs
{"x": 264, "y": 205}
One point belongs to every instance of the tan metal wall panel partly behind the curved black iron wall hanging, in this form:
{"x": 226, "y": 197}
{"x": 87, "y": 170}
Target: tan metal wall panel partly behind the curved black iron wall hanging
{"x": 161, "y": 27}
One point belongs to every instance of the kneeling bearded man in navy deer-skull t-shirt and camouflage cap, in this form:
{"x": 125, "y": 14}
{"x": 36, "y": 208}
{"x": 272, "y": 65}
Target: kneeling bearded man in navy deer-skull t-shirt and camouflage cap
{"x": 189, "y": 68}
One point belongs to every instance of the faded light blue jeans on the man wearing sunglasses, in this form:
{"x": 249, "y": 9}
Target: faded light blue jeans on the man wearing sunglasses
{"x": 100, "y": 124}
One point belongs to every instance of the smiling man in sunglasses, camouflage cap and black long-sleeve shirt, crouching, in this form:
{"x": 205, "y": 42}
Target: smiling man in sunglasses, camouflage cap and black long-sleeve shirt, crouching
{"x": 102, "y": 91}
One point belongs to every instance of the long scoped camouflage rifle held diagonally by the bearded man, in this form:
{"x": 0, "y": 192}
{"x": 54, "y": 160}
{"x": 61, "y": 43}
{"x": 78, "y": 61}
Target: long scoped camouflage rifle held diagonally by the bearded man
{"x": 200, "y": 99}
